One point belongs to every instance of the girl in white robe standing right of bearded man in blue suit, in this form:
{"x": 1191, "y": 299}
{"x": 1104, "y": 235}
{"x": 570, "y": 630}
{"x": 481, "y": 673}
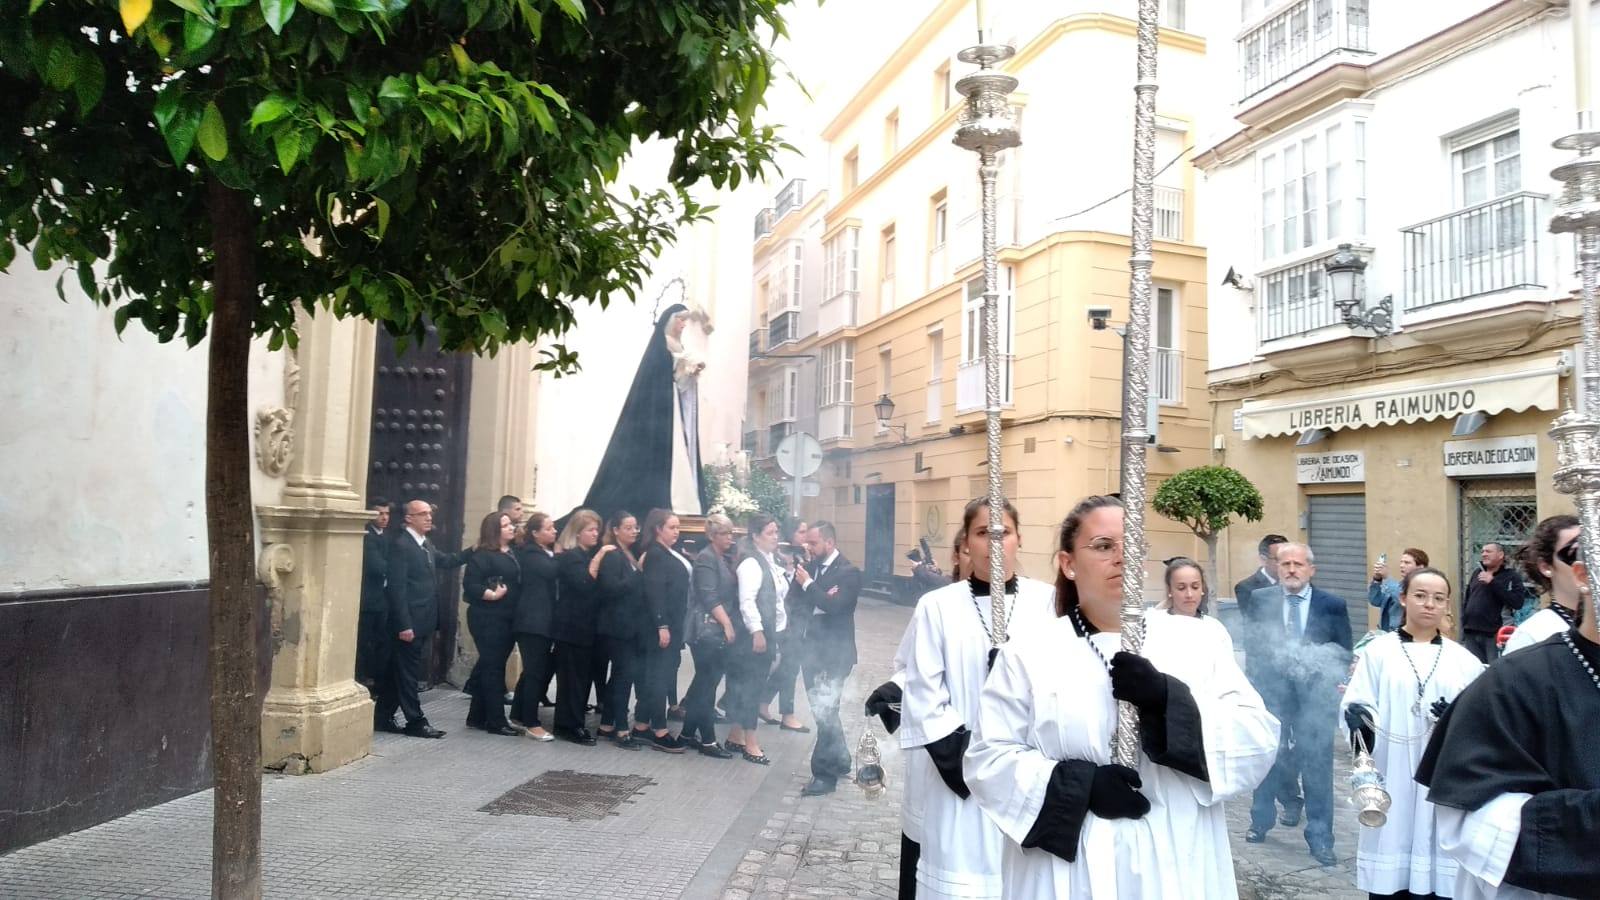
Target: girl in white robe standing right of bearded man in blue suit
{"x": 1404, "y": 681}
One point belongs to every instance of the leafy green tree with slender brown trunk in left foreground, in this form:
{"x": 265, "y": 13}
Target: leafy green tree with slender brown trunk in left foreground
{"x": 207, "y": 169}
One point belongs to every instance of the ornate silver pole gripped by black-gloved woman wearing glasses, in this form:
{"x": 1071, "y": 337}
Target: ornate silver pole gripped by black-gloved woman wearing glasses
{"x": 1137, "y": 369}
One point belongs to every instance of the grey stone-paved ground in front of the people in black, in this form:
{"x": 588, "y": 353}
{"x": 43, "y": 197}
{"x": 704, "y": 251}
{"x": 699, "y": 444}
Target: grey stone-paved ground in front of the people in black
{"x": 410, "y": 822}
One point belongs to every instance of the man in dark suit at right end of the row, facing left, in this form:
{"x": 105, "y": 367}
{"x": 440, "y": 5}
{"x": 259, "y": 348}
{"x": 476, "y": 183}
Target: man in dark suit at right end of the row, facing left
{"x": 831, "y": 587}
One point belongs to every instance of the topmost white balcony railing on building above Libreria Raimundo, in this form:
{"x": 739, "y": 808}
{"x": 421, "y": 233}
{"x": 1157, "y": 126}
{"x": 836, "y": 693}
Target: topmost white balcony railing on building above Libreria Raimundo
{"x": 1300, "y": 36}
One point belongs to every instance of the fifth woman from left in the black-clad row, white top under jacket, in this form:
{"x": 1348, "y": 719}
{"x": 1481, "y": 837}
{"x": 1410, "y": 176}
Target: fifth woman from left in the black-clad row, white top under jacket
{"x": 668, "y": 601}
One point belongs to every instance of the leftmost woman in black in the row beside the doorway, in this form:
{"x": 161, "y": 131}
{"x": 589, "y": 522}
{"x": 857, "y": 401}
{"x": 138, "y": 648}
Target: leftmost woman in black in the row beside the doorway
{"x": 490, "y": 585}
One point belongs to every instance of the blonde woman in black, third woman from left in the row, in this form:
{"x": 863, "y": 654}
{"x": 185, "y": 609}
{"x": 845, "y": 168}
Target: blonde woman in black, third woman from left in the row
{"x": 574, "y": 625}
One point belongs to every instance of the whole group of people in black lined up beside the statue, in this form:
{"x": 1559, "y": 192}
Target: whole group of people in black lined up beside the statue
{"x": 604, "y": 609}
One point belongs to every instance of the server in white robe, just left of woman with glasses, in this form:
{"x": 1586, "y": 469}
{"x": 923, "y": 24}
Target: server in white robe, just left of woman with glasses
{"x": 948, "y": 661}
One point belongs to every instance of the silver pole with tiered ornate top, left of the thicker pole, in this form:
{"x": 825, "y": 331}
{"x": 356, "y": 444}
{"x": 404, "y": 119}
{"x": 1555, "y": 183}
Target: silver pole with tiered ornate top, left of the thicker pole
{"x": 988, "y": 127}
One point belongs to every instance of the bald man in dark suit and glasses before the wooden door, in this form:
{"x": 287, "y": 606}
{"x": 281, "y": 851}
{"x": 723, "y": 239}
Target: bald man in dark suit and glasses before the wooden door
{"x": 414, "y": 614}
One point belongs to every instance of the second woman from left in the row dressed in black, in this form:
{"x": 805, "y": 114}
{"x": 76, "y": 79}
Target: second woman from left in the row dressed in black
{"x": 532, "y": 624}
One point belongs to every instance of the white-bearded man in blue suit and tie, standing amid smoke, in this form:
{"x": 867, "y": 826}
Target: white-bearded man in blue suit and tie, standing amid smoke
{"x": 1298, "y": 643}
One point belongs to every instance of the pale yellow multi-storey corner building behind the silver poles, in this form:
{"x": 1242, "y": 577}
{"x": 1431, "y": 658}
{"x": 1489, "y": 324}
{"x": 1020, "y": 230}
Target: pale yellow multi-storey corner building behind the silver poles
{"x": 874, "y": 291}
